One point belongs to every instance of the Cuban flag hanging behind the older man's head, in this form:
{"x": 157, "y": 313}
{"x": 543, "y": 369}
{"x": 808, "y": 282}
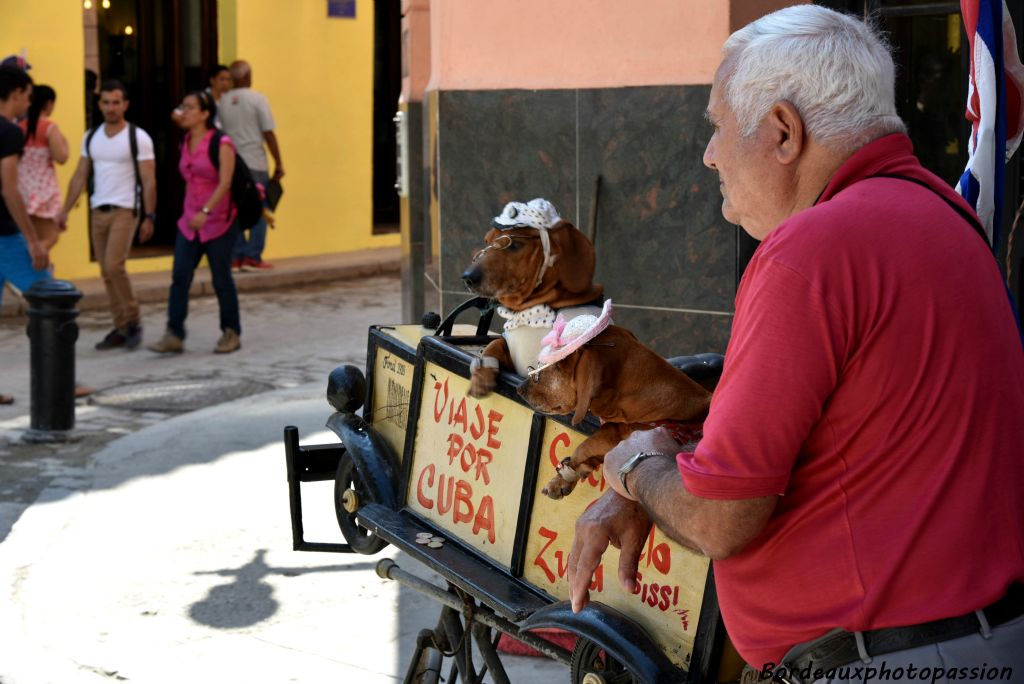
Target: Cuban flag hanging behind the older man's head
{"x": 996, "y": 91}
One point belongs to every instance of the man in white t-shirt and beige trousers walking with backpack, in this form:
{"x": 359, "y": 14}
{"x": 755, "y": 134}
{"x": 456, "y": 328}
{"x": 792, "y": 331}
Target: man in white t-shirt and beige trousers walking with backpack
{"x": 123, "y": 198}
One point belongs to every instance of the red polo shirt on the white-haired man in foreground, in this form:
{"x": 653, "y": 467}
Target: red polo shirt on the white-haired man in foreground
{"x": 875, "y": 378}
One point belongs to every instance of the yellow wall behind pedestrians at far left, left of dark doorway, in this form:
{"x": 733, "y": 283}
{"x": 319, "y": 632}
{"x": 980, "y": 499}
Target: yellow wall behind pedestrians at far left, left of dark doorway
{"x": 51, "y": 33}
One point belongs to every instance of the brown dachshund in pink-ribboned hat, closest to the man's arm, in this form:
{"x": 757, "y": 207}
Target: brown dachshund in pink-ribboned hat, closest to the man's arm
{"x": 627, "y": 386}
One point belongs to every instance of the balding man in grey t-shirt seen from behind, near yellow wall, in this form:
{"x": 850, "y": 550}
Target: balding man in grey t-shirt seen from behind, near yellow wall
{"x": 246, "y": 116}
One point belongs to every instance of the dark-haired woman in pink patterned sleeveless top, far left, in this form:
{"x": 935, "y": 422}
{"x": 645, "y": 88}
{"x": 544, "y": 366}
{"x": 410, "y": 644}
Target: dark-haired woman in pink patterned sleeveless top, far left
{"x": 37, "y": 177}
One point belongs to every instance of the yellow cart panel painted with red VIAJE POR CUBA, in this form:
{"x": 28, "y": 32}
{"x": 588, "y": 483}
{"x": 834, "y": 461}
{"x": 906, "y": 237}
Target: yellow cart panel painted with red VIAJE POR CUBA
{"x": 468, "y": 463}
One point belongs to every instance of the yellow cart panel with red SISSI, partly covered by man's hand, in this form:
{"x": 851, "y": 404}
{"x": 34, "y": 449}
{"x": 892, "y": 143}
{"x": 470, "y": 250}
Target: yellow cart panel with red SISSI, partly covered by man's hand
{"x": 671, "y": 580}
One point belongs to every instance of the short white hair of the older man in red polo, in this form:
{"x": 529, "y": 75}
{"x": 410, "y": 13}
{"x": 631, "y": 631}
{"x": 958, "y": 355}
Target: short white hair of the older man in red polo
{"x": 836, "y": 70}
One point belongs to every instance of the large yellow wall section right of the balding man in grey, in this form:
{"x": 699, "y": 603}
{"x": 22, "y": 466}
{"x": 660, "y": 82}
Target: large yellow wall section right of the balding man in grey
{"x": 318, "y": 74}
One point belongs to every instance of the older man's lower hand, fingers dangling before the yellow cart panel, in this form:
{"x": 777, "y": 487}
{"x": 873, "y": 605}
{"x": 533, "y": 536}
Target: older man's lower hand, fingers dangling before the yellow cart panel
{"x": 612, "y": 520}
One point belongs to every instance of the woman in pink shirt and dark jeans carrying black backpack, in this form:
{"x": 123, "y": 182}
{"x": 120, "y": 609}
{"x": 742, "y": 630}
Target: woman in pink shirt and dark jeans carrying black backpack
{"x": 207, "y": 227}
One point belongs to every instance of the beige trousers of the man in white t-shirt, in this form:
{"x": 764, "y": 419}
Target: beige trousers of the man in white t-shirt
{"x": 113, "y": 233}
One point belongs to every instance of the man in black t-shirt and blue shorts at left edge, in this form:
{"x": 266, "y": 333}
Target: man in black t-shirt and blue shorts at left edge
{"x": 24, "y": 258}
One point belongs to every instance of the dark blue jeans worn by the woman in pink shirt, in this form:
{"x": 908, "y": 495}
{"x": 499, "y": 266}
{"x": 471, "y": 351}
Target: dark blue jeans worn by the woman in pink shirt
{"x": 187, "y": 256}
